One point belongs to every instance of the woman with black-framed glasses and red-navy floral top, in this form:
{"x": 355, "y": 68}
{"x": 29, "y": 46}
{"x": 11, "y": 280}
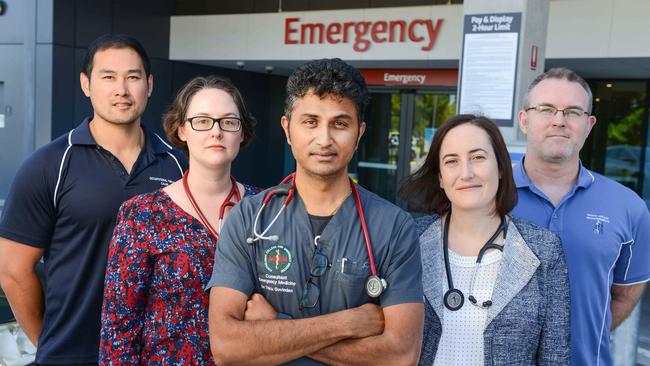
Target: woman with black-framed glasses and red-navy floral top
{"x": 162, "y": 253}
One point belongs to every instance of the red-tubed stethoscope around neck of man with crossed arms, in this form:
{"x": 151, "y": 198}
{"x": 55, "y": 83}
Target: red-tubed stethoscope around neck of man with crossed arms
{"x": 375, "y": 285}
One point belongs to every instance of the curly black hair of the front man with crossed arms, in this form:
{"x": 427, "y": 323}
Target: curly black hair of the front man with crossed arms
{"x": 327, "y": 77}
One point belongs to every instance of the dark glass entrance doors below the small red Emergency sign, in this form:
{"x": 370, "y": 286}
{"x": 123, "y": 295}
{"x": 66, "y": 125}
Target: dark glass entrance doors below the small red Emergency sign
{"x": 400, "y": 127}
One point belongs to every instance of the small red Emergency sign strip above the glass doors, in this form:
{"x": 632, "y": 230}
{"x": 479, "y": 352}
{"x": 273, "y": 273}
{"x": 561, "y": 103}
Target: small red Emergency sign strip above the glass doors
{"x": 374, "y": 77}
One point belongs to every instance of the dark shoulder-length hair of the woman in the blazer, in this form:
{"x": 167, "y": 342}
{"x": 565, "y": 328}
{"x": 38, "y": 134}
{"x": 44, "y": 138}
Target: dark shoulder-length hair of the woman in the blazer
{"x": 422, "y": 188}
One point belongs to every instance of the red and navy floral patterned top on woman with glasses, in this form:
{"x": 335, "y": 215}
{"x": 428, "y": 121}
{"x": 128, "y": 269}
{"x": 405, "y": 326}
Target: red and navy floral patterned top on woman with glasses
{"x": 155, "y": 307}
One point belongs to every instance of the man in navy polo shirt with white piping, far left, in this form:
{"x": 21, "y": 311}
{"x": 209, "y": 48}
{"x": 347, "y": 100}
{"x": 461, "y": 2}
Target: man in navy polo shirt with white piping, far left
{"x": 64, "y": 200}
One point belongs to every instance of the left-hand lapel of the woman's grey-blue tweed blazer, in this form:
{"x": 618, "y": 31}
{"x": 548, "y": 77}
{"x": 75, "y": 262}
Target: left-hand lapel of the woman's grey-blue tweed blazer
{"x": 433, "y": 266}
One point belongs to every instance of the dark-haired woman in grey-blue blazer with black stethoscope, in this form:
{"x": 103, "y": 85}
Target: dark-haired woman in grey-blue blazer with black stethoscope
{"x": 496, "y": 287}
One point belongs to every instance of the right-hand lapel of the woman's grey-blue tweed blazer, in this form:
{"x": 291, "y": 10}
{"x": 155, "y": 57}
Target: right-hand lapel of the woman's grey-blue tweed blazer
{"x": 518, "y": 265}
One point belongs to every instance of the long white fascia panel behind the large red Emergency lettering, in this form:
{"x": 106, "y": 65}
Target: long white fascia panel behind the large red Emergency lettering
{"x": 261, "y": 36}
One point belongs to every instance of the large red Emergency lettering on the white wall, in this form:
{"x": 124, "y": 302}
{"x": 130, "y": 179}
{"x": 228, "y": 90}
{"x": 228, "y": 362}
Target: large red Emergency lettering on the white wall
{"x": 362, "y": 33}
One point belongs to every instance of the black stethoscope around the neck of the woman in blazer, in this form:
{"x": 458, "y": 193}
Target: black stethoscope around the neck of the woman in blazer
{"x": 454, "y": 298}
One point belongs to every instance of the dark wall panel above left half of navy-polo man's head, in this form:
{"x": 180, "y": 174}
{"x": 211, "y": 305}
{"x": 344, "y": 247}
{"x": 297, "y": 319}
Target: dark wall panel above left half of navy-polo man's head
{"x": 92, "y": 19}
